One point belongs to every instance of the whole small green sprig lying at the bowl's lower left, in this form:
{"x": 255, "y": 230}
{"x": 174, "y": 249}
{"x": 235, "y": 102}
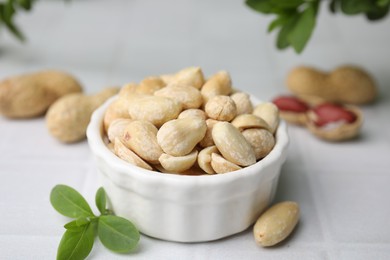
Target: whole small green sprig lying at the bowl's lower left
{"x": 116, "y": 233}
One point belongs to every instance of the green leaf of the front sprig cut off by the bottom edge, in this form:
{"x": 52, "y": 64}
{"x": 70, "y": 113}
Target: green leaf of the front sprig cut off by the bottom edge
{"x": 76, "y": 245}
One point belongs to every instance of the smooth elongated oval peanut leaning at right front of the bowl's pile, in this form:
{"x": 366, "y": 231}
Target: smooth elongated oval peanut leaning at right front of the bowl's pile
{"x": 232, "y": 144}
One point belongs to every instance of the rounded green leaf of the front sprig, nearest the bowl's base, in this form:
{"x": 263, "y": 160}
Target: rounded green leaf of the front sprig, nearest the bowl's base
{"x": 117, "y": 234}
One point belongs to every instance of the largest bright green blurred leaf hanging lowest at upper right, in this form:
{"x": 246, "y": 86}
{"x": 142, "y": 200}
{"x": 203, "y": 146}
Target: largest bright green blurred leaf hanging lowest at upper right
{"x": 300, "y": 34}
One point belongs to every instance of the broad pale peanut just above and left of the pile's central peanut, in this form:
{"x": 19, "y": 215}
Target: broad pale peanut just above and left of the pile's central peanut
{"x": 154, "y": 109}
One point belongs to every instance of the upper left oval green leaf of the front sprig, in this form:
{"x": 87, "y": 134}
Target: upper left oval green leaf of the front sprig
{"x": 68, "y": 202}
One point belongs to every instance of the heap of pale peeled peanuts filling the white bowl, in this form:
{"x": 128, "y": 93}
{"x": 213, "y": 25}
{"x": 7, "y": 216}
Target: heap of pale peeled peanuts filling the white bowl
{"x": 182, "y": 123}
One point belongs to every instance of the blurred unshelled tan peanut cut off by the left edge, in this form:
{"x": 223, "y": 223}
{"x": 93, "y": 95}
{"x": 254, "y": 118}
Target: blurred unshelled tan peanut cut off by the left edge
{"x": 30, "y": 95}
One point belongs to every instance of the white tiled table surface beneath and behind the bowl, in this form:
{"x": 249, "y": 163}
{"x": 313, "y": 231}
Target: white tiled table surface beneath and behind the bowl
{"x": 343, "y": 188}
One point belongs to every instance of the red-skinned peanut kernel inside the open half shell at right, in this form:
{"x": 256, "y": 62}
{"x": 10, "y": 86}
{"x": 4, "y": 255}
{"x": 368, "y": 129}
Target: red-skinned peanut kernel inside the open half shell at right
{"x": 328, "y": 113}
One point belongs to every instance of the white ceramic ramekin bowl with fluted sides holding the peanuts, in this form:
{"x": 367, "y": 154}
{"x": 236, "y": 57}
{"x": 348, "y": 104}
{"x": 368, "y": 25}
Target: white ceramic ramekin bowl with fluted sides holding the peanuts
{"x": 187, "y": 208}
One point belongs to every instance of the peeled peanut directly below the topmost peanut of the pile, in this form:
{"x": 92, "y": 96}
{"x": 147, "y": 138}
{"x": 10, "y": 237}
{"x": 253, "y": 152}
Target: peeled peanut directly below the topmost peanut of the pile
{"x": 187, "y": 95}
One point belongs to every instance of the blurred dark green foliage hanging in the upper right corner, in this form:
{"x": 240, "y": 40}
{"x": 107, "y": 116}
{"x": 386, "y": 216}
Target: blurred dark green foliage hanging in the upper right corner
{"x": 296, "y": 19}
